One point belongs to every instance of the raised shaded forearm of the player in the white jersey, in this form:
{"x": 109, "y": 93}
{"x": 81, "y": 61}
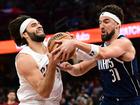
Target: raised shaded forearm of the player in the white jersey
{"x": 46, "y": 85}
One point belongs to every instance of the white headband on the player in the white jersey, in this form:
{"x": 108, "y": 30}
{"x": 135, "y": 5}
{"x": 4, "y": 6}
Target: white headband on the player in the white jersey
{"x": 24, "y": 25}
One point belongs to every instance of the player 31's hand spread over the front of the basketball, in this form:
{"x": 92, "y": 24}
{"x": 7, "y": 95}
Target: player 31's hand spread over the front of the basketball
{"x": 66, "y": 48}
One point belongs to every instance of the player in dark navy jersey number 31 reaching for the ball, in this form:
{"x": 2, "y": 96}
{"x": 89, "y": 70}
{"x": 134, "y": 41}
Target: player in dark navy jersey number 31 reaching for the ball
{"x": 115, "y": 59}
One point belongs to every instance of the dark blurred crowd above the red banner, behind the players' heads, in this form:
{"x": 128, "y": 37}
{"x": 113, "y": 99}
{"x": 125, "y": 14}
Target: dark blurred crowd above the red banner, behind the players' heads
{"x": 63, "y": 15}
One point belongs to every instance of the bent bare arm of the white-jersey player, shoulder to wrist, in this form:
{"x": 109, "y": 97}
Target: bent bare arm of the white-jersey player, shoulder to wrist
{"x": 28, "y": 68}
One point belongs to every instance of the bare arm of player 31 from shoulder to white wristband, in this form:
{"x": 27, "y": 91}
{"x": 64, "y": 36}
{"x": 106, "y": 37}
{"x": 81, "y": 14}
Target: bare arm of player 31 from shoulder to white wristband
{"x": 120, "y": 48}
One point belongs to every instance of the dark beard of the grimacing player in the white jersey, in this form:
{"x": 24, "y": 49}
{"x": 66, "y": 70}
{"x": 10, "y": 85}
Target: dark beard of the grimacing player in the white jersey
{"x": 37, "y": 38}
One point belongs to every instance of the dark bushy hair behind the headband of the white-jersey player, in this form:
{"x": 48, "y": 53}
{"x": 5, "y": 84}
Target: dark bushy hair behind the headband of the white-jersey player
{"x": 14, "y": 29}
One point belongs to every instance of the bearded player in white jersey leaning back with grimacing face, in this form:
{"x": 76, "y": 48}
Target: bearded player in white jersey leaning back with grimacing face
{"x": 39, "y": 76}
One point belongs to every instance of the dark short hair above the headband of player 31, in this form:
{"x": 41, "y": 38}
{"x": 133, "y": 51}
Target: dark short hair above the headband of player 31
{"x": 114, "y": 9}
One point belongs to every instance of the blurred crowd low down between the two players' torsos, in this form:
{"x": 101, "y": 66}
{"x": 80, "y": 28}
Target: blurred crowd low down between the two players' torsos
{"x": 84, "y": 90}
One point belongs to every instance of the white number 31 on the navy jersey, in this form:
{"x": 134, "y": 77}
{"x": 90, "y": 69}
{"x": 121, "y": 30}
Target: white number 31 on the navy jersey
{"x": 115, "y": 75}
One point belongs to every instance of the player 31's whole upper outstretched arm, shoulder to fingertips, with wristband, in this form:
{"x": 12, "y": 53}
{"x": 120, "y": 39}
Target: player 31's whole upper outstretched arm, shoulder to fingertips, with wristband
{"x": 119, "y": 48}
